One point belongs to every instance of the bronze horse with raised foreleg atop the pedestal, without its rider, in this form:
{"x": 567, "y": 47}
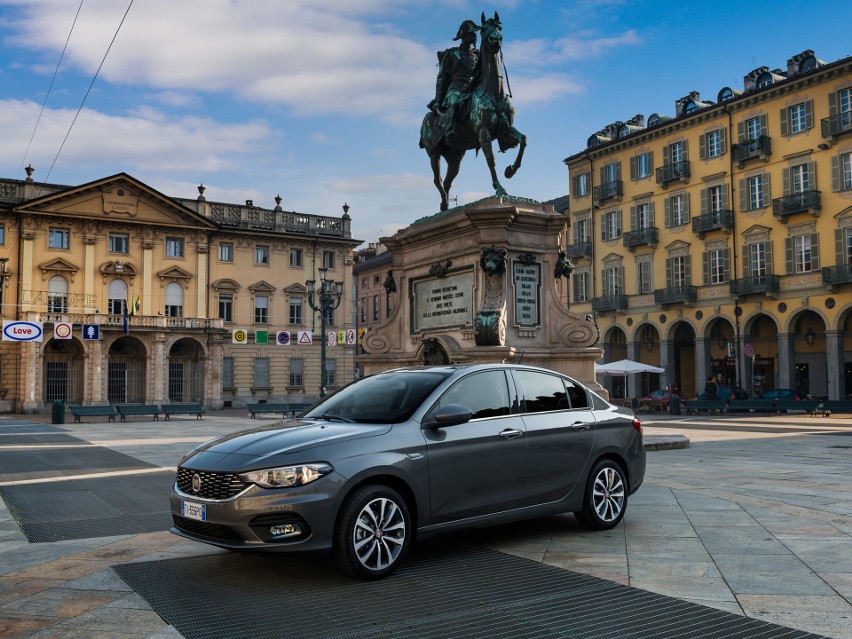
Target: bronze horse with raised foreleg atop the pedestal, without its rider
{"x": 485, "y": 115}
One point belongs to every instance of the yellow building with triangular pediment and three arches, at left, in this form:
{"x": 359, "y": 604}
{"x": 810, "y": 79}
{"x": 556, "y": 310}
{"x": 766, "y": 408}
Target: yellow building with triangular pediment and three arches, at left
{"x": 212, "y": 290}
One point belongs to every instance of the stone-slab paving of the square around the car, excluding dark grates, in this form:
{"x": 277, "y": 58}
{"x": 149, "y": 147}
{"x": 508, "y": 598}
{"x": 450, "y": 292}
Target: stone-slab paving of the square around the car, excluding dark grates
{"x": 754, "y": 517}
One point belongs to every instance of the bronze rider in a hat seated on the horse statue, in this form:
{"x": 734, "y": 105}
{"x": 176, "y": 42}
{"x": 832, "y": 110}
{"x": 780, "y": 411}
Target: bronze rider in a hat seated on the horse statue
{"x": 456, "y": 67}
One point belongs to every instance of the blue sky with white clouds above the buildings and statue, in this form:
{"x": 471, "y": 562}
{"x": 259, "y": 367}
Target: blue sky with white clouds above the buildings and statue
{"x": 321, "y": 101}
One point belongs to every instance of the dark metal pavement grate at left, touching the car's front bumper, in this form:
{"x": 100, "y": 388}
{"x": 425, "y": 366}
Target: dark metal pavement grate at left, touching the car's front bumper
{"x": 88, "y": 508}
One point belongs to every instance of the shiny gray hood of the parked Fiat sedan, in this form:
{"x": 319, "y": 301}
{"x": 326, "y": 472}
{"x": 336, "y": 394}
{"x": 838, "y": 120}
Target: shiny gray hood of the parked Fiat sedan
{"x": 252, "y": 448}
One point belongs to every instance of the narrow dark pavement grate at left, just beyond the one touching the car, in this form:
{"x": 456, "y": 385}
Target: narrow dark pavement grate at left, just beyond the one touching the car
{"x": 57, "y": 462}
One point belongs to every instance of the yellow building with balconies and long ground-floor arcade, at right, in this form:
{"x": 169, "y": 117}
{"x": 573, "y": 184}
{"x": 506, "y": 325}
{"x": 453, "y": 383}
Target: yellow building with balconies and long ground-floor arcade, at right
{"x": 718, "y": 241}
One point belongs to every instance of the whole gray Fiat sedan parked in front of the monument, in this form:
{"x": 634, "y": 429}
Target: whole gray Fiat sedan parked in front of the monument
{"x": 409, "y": 453}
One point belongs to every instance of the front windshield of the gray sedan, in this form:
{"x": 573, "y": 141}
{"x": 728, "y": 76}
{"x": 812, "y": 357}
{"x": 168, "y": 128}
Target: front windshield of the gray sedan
{"x": 385, "y": 398}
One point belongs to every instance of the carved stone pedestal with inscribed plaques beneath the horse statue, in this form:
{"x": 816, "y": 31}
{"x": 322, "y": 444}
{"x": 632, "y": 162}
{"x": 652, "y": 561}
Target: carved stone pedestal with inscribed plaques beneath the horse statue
{"x": 477, "y": 284}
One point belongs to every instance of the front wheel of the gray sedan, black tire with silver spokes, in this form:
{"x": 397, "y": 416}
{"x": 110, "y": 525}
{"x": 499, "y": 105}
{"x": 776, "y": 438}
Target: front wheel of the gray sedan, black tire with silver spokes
{"x": 373, "y": 532}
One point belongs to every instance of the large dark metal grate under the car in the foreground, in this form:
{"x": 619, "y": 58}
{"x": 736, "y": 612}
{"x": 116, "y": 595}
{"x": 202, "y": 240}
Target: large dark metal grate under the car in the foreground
{"x": 445, "y": 590}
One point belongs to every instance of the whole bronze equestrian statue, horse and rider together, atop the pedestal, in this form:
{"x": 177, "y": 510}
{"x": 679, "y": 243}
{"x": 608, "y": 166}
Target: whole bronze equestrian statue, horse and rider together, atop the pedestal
{"x": 471, "y": 108}
